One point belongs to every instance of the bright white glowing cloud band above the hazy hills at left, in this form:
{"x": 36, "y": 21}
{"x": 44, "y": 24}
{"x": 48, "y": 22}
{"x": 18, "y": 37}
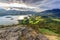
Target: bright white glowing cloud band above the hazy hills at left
{"x": 15, "y": 5}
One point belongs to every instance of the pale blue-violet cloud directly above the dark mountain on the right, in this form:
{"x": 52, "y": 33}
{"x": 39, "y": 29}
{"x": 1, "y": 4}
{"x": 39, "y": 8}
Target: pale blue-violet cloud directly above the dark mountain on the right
{"x": 52, "y": 4}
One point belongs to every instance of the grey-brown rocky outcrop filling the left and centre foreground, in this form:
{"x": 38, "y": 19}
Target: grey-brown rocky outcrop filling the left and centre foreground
{"x": 20, "y": 33}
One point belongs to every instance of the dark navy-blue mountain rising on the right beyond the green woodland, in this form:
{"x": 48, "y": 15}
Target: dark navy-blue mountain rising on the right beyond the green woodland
{"x": 51, "y": 13}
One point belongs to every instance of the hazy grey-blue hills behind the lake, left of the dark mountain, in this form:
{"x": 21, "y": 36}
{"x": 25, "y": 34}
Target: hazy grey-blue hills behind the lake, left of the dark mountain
{"x": 16, "y": 12}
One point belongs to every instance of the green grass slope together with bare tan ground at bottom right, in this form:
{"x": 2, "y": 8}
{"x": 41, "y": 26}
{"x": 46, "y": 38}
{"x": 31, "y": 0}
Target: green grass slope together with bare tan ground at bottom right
{"x": 49, "y": 34}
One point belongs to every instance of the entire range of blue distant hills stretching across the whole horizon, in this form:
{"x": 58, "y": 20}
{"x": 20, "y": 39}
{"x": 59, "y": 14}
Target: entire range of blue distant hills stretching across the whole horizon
{"x": 47, "y": 13}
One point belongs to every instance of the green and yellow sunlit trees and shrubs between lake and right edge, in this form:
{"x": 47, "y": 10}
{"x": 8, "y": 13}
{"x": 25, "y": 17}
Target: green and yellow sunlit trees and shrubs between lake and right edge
{"x": 39, "y": 22}
